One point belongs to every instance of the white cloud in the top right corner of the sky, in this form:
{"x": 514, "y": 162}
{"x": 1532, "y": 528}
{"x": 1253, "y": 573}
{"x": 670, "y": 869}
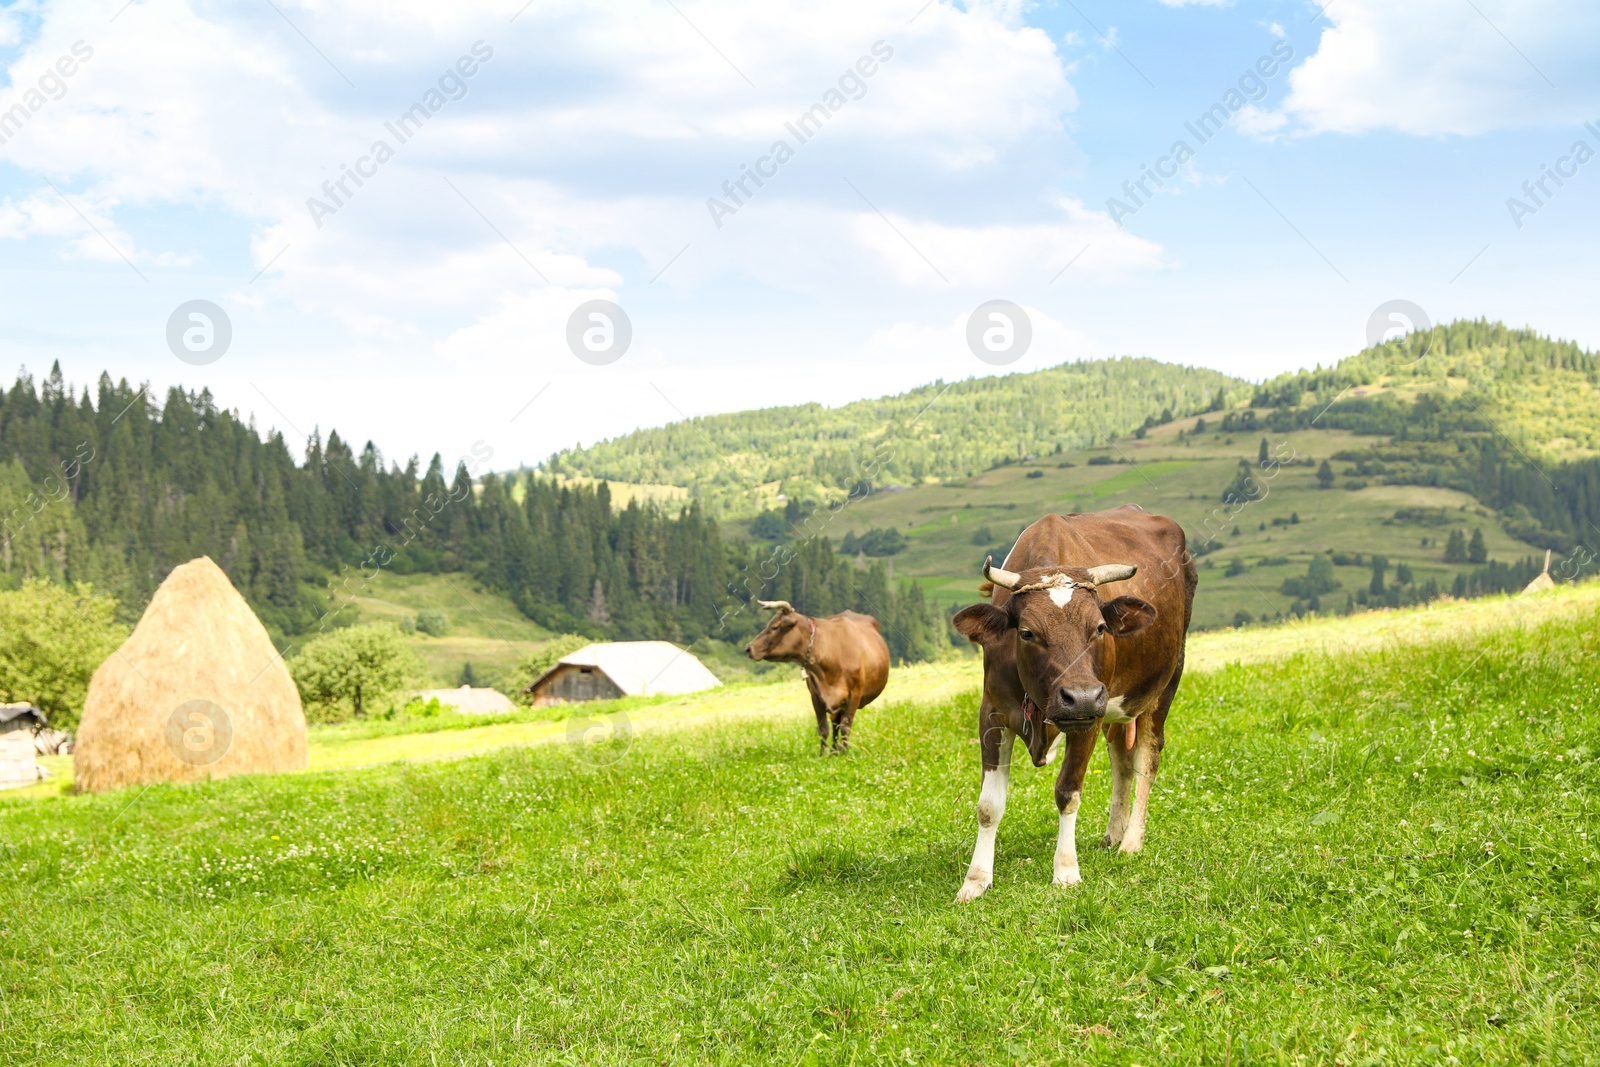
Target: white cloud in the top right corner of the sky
{"x": 1436, "y": 68}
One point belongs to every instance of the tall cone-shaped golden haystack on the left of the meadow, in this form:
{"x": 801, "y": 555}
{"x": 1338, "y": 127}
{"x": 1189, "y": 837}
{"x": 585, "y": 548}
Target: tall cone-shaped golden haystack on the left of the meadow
{"x": 196, "y": 692}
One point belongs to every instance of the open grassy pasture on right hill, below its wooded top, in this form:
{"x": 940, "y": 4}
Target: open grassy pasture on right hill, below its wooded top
{"x": 951, "y": 529}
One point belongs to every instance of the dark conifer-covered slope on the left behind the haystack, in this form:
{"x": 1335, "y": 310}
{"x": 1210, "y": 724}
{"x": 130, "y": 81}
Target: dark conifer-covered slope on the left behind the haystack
{"x": 116, "y": 490}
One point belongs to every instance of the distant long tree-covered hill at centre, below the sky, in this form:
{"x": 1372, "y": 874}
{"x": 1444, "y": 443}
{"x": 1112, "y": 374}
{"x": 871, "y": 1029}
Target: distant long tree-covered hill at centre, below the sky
{"x": 946, "y": 431}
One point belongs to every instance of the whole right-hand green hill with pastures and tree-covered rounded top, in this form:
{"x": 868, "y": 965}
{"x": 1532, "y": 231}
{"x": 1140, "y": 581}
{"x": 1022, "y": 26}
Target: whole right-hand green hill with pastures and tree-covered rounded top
{"x": 1473, "y": 430}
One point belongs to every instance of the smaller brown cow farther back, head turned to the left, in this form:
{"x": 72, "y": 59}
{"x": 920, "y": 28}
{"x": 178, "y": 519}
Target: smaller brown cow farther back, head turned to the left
{"x": 844, "y": 657}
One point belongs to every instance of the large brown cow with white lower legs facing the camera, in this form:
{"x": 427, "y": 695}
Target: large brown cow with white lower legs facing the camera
{"x": 1060, "y": 661}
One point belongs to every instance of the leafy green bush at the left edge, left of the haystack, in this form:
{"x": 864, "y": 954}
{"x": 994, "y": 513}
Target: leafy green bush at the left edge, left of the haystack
{"x": 52, "y": 641}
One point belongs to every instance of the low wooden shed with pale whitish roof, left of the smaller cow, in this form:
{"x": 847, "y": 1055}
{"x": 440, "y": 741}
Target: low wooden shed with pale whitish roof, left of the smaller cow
{"x": 614, "y": 669}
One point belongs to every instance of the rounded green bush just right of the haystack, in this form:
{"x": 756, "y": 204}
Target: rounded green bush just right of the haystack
{"x": 354, "y": 671}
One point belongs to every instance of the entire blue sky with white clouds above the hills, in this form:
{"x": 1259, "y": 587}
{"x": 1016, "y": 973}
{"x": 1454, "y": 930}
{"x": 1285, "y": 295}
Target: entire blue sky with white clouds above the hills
{"x": 430, "y": 311}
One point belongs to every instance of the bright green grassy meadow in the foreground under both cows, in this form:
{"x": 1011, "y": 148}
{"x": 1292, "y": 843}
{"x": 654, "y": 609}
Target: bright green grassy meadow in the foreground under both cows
{"x": 1377, "y": 858}
